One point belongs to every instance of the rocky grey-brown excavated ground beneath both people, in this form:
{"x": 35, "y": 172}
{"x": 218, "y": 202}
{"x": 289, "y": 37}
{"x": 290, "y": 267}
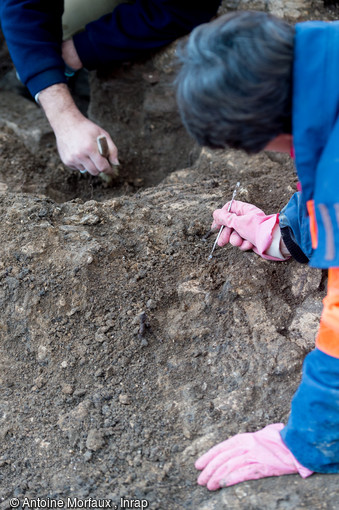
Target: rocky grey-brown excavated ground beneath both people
{"x": 124, "y": 351}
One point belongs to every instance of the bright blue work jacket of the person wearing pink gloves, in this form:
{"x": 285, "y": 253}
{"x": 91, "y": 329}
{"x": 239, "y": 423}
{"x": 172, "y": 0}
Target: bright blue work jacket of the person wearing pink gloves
{"x": 312, "y": 432}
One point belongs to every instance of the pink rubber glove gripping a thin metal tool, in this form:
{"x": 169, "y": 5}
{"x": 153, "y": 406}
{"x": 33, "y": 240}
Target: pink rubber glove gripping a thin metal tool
{"x": 247, "y": 227}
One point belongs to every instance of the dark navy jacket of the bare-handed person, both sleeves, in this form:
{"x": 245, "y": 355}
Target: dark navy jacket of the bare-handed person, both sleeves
{"x": 33, "y": 33}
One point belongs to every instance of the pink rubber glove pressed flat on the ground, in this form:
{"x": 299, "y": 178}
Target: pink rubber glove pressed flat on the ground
{"x": 248, "y": 457}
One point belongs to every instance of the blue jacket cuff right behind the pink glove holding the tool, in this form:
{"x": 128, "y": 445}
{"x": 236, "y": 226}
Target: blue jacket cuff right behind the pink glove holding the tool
{"x": 295, "y": 231}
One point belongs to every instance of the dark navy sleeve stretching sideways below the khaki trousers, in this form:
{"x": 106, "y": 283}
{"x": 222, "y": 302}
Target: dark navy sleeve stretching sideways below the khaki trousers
{"x": 133, "y": 28}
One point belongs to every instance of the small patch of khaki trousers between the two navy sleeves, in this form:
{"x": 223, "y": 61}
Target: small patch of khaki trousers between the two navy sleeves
{"x": 78, "y": 13}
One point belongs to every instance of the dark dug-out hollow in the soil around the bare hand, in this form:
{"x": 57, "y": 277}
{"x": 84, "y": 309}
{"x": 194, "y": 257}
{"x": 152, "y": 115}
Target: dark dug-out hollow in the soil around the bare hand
{"x": 151, "y": 140}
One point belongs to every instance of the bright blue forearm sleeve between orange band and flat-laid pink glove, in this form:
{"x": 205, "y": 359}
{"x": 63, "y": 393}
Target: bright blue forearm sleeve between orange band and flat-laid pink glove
{"x": 312, "y": 431}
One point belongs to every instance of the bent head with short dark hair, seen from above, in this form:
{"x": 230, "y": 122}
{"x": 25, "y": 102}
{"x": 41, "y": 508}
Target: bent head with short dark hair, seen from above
{"x": 234, "y": 86}
